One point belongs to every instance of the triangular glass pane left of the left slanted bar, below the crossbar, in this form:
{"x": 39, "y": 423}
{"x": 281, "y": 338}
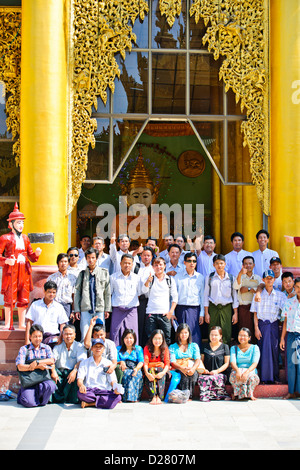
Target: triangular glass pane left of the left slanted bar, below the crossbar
{"x": 124, "y": 133}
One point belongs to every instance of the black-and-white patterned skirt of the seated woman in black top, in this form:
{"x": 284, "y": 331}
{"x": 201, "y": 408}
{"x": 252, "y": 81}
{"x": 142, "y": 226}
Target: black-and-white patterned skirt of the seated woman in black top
{"x": 212, "y": 387}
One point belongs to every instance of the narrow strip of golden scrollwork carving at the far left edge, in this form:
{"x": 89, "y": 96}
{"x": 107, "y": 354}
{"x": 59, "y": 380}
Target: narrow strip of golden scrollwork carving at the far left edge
{"x": 10, "y": 71}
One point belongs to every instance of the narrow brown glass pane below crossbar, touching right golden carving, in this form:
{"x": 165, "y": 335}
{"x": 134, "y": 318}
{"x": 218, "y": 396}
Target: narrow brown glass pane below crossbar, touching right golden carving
{"x": 238, "y": 155}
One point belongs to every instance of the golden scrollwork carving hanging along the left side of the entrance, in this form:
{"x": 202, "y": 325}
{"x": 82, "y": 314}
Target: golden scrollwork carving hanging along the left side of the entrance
{"x": 101, "y": 29}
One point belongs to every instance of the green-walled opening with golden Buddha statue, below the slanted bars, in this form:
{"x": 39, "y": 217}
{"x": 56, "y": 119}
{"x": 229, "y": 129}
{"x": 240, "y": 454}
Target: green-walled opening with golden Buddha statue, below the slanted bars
{"x": 168, "y": 167}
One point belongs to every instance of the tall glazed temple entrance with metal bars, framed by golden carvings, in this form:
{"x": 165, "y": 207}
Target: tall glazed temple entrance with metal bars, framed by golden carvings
{"x": 169, "y": 106}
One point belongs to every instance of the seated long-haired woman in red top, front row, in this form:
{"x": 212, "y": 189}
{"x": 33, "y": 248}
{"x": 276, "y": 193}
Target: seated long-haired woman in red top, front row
{"x": 156, "y": 365}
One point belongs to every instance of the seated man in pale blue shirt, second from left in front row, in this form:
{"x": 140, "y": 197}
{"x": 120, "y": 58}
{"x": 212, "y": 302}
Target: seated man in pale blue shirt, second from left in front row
{"x": 68, "y": 356}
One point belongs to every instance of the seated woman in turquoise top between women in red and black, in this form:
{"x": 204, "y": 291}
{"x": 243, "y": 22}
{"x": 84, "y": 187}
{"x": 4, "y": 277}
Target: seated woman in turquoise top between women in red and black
{"x": 185, "y": 358}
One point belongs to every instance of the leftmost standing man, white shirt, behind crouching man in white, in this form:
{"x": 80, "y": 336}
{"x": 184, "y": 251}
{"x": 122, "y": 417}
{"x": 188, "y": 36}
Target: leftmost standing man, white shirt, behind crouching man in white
{"x": 65, "y": 282}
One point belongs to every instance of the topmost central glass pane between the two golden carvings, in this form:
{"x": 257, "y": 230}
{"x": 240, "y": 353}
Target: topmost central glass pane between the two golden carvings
{"x": 164, "y": 36}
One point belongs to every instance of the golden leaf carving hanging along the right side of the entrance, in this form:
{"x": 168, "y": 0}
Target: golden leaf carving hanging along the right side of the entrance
{"x": 239, "y": 31}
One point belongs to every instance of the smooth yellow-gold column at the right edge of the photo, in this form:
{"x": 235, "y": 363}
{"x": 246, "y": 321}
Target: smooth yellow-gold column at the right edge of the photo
{"x": 285, "y": 128}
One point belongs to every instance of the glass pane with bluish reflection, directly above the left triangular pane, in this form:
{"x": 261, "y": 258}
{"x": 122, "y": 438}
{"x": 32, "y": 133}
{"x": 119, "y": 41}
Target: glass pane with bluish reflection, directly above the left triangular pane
{"x": 131, "y": 90}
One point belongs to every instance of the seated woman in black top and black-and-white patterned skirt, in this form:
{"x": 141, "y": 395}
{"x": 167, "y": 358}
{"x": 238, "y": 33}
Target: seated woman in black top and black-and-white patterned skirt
{"x": 215, "y": 360}
